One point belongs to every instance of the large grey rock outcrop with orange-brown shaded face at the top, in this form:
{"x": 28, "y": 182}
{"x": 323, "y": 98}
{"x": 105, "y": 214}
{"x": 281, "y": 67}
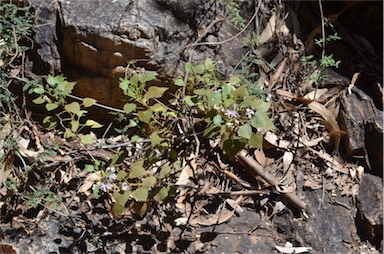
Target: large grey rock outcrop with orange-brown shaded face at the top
{"x": 97, "y": 38}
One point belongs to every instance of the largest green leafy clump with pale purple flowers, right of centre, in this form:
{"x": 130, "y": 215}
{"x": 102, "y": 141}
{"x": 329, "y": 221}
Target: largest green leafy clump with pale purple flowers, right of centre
{"x": 230, "y": 111}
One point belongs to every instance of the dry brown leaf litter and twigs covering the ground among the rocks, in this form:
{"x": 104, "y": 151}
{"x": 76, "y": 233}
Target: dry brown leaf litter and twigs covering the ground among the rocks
{"x": 209, "y": 188}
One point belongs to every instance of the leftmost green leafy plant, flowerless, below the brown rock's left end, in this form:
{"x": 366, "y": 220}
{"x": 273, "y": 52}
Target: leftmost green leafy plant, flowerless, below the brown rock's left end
{"x": 54, "y": 96}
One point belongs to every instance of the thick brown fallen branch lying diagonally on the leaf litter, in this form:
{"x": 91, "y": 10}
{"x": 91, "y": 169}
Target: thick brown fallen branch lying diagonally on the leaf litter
{"x": 256, "y": 169}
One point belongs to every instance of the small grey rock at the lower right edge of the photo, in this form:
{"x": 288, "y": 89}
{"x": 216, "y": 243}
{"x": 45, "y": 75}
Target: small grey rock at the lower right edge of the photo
{"x": 370, "y": 209}
